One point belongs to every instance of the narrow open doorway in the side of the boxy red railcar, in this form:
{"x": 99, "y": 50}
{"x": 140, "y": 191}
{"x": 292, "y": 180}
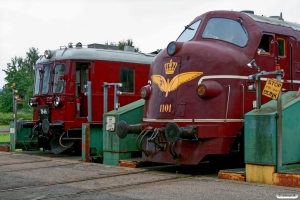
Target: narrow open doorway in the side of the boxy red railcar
{"x": 82, "y": 76}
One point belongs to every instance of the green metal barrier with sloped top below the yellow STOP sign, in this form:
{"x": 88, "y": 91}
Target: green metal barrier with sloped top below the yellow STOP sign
{"x": 261, "y": 134}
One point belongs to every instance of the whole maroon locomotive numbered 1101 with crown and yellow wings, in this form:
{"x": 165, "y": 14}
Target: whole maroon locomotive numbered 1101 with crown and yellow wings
{"x": 199, "y": 87}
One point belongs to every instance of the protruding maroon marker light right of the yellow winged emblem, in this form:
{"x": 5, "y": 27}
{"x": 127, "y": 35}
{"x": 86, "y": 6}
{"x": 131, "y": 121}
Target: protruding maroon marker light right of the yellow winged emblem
{"x": 209, "y": 89}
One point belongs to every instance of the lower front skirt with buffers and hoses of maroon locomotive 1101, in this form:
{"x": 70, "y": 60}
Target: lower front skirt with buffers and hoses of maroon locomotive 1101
{"x": 174, "y": 144}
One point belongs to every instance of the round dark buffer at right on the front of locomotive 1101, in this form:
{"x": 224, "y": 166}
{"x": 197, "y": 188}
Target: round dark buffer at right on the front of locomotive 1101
{"x": 173, "y": 132}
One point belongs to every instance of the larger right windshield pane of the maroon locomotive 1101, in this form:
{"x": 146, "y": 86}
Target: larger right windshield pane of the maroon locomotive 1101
{"x": 227, "y": 30}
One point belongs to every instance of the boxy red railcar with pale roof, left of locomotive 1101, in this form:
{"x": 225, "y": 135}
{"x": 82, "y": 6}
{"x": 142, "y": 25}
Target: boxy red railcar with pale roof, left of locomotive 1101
{"x": 60, "y": 98}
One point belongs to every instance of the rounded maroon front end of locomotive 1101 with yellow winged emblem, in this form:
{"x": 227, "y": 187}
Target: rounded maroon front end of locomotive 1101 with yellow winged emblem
{"x": 195, "y": 94}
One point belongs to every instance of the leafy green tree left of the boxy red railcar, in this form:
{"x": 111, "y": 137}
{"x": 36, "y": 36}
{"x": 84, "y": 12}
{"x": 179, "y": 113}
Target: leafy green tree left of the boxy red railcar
{"x": 21, "y": 72}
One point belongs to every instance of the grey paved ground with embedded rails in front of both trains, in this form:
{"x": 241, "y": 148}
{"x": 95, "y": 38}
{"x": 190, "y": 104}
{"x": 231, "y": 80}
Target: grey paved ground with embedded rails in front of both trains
{"x": 28, "y": 176}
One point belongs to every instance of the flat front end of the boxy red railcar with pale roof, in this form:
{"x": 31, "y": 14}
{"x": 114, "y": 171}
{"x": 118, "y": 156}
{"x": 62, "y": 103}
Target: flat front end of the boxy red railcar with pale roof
{"x": 51, "y": 103}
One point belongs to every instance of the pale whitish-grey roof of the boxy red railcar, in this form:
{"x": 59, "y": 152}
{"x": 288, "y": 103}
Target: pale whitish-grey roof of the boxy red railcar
{"x": 98, "y": 54}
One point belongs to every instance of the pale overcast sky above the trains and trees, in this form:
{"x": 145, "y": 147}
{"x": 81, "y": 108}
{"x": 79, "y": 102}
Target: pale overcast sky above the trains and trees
{"x": 151, "y": 24}
